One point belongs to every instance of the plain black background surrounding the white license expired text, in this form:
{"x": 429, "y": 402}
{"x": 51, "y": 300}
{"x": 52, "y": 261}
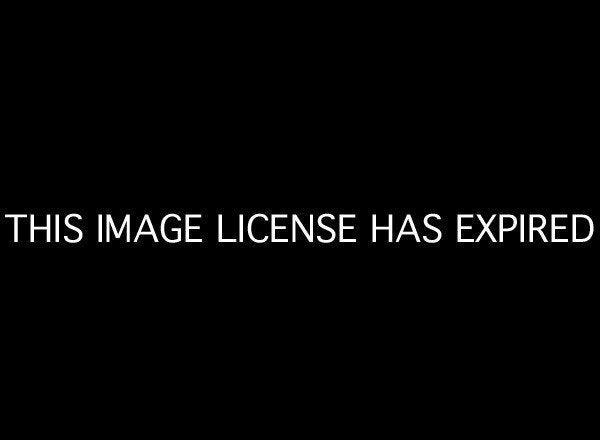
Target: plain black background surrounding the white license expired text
{"x": 368, "y": 113}
